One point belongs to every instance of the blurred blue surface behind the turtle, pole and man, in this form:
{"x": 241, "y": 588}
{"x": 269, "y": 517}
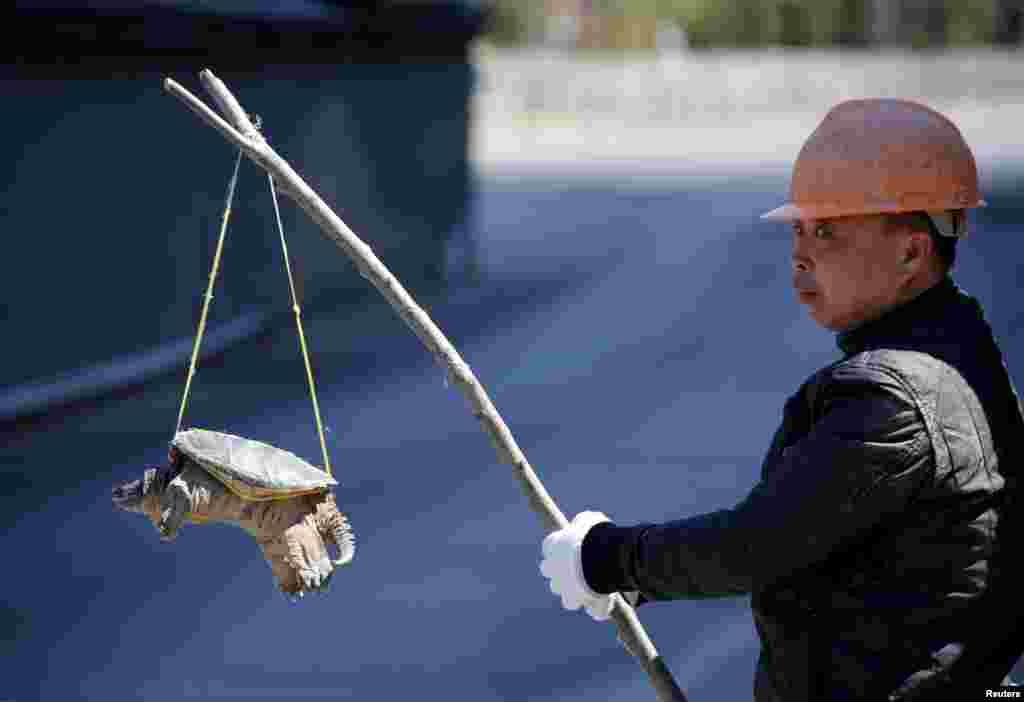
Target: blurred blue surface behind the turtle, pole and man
{"x": 639, "y": 338}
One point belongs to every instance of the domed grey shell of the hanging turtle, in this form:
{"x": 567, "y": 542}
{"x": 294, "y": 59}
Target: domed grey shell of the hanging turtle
{"x": 252, "y": 470}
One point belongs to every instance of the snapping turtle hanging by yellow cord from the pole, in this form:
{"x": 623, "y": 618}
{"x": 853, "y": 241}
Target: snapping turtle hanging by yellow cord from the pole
{"x": 283, "y": 502}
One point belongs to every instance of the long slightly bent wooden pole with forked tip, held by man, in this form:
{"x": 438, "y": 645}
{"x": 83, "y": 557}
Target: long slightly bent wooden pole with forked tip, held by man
{"x": 240, "y": 131}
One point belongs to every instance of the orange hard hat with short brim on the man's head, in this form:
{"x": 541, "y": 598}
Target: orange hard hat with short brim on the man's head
{"x": 881, "y": 156}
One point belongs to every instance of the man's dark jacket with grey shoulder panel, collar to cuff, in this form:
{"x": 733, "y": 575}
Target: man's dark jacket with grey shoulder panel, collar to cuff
{"x": 879, "y": 545}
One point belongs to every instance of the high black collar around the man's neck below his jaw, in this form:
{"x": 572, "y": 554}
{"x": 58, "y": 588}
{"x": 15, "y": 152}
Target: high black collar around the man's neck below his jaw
{"x": 913, "y": 325}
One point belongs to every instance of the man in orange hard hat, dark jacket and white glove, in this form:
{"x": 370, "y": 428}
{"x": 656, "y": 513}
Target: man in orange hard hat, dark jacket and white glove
{"x": 878, "y": 546}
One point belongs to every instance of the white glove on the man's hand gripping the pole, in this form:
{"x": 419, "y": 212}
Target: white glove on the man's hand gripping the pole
{"x": 563, "y": 564}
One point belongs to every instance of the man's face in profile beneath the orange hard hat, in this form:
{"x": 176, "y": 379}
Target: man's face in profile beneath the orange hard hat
{"x": 847, "y": 271}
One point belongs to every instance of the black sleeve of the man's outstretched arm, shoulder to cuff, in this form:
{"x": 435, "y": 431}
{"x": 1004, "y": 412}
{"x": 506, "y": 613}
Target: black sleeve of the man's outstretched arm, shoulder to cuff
{"x": 863, "y": 460}
